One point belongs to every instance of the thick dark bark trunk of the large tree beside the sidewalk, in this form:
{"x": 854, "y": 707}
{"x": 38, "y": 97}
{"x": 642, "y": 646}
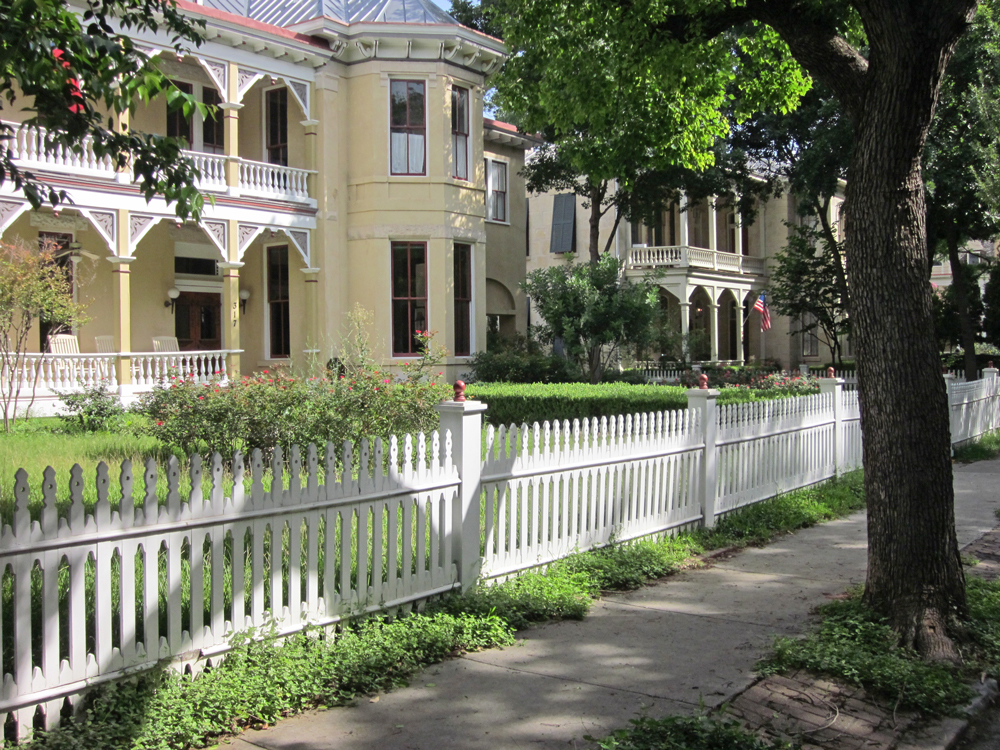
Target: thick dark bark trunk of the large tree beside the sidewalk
{"x": 915, "y": 576}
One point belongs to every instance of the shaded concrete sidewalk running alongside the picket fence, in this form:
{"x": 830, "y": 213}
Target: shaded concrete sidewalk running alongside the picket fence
{"x": 676, "y": 647}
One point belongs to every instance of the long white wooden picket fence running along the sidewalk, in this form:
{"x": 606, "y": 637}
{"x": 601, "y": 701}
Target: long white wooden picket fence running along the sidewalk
{"x": 300, "y": 542}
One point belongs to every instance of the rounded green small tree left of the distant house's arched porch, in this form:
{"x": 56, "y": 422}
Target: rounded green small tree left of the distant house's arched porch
{"x": 594, "y": 309}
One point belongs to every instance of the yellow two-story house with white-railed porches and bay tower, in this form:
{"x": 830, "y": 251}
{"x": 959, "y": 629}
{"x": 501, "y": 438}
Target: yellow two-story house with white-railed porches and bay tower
{"x": 350, "y": 164}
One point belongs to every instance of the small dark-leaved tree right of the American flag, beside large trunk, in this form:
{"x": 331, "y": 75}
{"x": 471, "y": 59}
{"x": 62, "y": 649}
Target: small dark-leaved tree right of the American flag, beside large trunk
{"x": 806, "y": 281}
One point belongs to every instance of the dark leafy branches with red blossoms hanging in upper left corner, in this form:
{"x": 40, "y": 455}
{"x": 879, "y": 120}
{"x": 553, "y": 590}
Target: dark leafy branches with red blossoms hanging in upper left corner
{"x": 77, "y": 71}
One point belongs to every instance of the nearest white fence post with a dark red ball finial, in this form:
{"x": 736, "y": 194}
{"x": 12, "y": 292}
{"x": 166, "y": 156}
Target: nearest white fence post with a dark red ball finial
{"x": 464, "y": 420}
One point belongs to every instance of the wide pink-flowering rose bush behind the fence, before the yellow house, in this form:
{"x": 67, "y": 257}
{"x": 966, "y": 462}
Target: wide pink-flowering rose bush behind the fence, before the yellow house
{"x": 280, "y": 408}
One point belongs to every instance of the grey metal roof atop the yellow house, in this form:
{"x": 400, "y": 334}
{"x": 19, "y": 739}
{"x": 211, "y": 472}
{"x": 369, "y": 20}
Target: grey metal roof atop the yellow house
{"x": 288, "y": 12}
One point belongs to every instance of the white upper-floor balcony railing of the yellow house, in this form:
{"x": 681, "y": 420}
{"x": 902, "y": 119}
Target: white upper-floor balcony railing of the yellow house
{"x": 255, "y": 178}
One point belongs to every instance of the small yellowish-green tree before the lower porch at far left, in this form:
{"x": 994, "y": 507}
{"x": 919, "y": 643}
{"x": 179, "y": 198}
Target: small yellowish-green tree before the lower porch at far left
{"x": 33, "y": 287}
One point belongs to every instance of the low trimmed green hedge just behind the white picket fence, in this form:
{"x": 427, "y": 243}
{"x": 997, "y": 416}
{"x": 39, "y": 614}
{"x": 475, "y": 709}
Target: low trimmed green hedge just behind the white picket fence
{"x": 517, "y": 403}
